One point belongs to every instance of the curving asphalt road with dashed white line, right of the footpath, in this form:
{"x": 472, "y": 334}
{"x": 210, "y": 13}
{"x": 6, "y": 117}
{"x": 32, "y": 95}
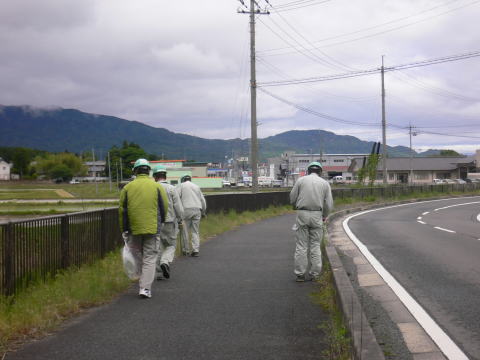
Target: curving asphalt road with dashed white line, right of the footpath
{"x": 433, "y": 250}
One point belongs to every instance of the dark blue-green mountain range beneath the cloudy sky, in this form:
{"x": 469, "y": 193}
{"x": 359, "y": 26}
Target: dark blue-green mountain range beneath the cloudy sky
{"x": 58, "y": 129}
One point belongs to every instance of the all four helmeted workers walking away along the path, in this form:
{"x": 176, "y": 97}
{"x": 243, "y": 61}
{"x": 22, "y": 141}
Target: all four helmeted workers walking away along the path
{"x": 152, "y": 211}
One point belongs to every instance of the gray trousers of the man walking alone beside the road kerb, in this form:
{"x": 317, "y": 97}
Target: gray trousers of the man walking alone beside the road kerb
{"x": 308, "y": 235}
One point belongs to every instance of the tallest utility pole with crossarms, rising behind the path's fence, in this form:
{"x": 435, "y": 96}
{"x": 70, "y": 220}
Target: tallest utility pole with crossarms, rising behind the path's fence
{"x": 253, "y": 11}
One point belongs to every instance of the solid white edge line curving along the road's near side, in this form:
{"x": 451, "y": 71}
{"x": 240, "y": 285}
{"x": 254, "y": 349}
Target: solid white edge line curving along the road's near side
{"x": 443, "y": 341}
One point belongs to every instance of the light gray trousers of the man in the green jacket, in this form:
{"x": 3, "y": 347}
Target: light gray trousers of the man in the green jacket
{"x": 144, "y": 249}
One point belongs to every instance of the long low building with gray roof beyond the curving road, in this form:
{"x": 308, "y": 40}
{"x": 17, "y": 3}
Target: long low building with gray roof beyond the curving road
{"x": 425, "y": 169}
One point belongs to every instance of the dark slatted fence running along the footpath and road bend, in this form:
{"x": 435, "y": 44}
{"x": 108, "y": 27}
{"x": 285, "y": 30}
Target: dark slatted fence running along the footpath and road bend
{"x": 40, "y": 248}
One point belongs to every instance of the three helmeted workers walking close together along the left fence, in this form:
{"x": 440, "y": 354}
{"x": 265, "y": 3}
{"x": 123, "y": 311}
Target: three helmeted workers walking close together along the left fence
{"x": 151, "y": 213}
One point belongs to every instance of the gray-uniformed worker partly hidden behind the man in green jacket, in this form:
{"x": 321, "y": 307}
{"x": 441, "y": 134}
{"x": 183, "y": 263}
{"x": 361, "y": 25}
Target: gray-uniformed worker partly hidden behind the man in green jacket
{"x": 167, "y": 240}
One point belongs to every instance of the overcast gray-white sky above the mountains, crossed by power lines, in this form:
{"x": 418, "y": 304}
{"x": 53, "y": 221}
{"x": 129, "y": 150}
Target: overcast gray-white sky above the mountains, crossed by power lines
{"x": 184, "y": 65}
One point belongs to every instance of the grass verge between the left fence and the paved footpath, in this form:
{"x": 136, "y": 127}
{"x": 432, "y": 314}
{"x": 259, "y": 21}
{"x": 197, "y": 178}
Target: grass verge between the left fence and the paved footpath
{"x": 43, "y": 306}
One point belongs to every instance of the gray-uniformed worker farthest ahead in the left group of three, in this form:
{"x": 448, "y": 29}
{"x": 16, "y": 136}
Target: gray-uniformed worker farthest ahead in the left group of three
{"x": 194, "y": 207}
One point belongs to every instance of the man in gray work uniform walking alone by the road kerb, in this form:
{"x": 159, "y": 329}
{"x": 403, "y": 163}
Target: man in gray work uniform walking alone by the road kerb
{"x": 312, "y": 197}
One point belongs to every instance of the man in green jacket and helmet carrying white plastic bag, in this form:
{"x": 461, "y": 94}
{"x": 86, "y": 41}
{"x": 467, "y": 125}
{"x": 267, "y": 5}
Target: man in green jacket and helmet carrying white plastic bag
{"x": 142, "y": 210}
